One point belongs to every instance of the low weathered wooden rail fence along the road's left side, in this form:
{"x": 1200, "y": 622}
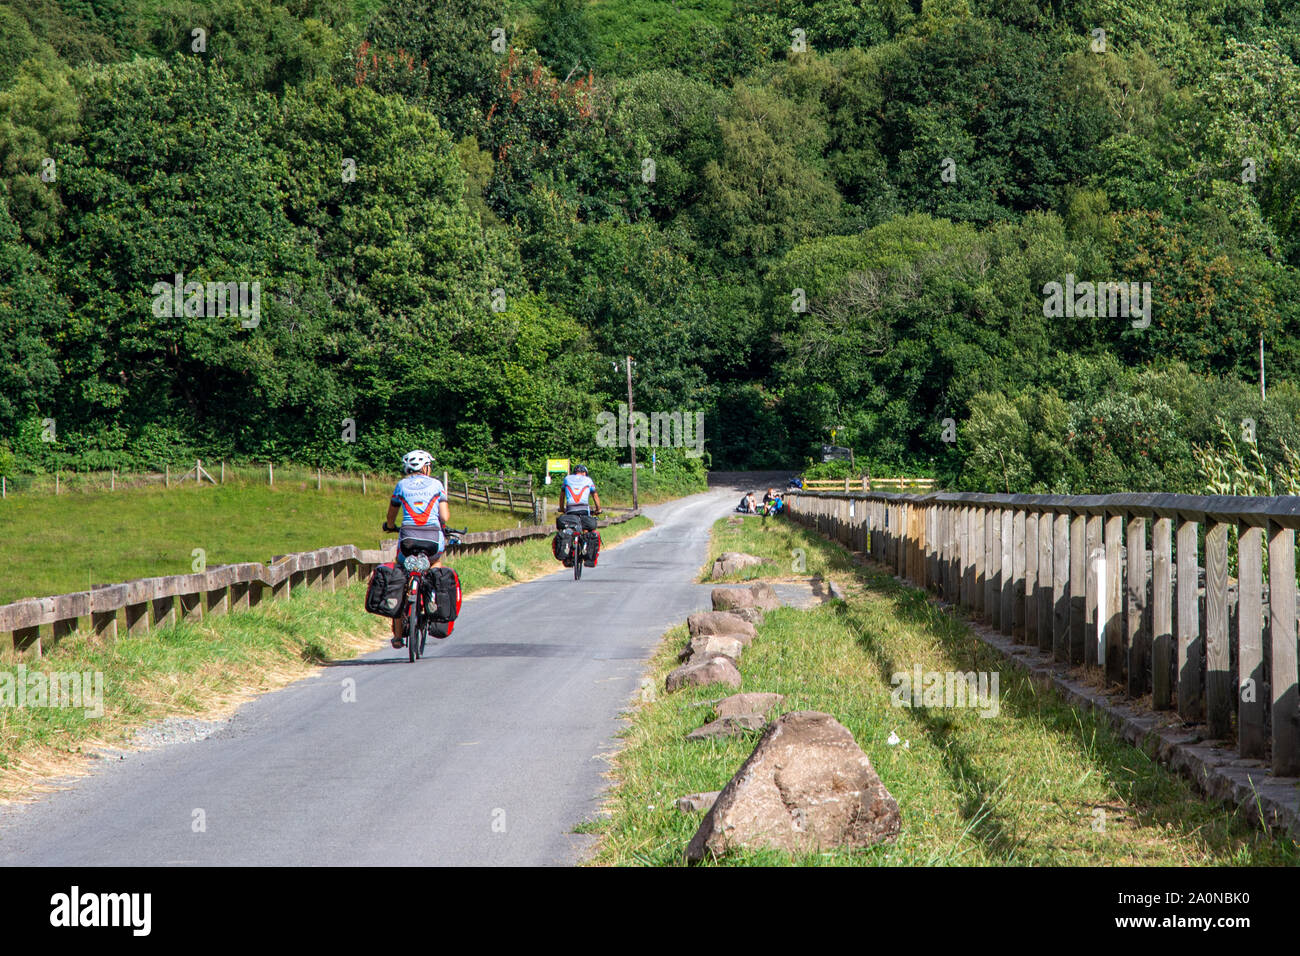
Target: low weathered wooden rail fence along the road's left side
{"x": 151, "y": 603}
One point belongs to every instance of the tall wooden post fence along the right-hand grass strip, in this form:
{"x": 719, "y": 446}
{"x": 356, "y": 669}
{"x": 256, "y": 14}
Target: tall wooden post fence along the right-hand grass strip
{"x": 1137, "y": 586}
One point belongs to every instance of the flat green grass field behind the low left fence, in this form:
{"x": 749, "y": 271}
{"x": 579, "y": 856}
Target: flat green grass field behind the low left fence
{"x": 51, "y": 546}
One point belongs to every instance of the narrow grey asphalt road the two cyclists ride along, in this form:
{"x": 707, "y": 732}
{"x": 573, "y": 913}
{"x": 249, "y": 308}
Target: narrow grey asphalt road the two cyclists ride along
{"x": 488, "y": 752}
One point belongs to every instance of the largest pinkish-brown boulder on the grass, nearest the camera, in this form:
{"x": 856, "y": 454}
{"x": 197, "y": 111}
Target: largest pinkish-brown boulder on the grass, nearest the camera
{"x": 807, "y": 788}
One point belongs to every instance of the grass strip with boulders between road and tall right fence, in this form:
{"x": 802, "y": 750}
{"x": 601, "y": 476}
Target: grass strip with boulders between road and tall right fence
{"x": 1037, "y": 785}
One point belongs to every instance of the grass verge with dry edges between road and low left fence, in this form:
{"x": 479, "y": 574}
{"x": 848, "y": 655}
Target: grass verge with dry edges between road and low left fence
{"x": 210, "y": 668}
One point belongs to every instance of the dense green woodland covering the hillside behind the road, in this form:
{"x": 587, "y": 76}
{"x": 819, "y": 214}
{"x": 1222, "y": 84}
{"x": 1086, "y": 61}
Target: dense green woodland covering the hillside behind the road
{"x": 461, "y": 233}
